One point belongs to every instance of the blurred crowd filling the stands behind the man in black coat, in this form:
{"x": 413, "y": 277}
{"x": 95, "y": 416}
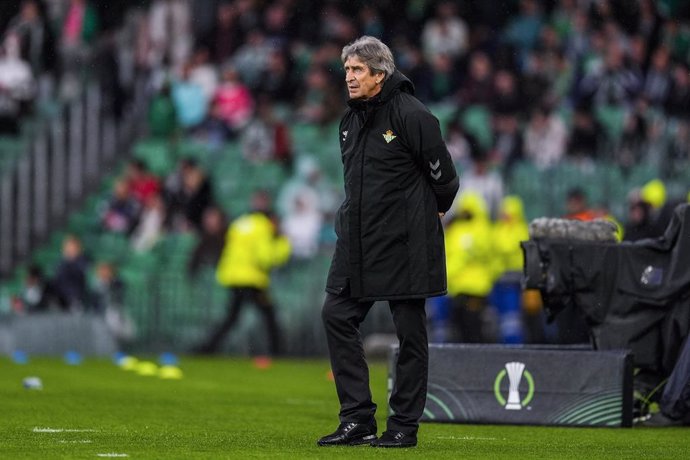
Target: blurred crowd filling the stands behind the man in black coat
{"x": 562, "y": 108}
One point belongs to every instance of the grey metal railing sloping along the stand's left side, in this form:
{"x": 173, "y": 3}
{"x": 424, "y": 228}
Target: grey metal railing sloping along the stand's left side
{"x": 66, "y": 157}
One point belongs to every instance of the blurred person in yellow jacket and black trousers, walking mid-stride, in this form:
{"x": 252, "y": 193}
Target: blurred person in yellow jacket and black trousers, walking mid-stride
{"x": 252, "y": 248}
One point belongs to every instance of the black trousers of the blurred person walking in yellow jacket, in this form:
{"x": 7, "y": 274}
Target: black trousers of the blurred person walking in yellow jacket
{"x": 238, "y": 298}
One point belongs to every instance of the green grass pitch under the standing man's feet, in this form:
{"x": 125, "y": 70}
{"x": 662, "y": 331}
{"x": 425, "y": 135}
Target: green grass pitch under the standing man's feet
{"x": 227, "y": 408}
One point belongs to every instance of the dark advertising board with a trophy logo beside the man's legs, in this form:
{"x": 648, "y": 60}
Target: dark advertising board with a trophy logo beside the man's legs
{"x": 530, "y": 385}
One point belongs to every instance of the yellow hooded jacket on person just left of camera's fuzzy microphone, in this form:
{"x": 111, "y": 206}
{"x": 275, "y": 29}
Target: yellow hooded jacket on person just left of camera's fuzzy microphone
{"x": 509, "y": 231}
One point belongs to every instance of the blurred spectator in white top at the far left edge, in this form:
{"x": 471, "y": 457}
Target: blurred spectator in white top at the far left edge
{"x": 17, "y": 86}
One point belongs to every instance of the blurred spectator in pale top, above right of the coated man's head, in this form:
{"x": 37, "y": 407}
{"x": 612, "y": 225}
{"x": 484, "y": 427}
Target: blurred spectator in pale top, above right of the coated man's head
{"x": 445, "y": 34}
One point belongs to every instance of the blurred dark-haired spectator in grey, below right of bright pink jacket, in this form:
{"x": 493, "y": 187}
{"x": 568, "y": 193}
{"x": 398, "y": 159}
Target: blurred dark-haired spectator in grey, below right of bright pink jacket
{"x": 266, "y": 138}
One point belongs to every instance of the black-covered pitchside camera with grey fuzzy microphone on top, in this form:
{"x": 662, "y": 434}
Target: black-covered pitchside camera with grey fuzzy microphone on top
{"x": 633, "y": 295}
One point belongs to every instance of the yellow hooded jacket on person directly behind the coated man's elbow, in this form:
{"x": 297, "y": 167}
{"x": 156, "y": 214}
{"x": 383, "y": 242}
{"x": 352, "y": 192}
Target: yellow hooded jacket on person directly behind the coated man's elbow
{"x": 470, "y": 256}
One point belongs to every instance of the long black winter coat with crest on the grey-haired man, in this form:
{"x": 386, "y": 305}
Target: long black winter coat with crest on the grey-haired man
{"x": 398, "y": 177}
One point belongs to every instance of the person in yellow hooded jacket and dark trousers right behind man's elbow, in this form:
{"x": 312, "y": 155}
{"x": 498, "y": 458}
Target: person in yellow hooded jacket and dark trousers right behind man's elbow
{"x": 471, "y": 267}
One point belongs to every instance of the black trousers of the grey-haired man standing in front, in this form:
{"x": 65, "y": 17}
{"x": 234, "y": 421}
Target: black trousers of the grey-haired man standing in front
{"x": 342, "y": 317}
